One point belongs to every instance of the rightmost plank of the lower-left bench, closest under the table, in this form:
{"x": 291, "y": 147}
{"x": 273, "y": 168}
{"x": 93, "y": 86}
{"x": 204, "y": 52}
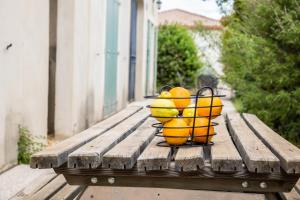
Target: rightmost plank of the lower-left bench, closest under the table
{"x": 67, "y": 192}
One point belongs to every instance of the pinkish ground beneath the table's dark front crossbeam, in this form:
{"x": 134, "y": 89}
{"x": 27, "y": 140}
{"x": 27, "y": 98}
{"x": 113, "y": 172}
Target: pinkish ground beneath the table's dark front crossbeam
{"x": 125, "y": 193}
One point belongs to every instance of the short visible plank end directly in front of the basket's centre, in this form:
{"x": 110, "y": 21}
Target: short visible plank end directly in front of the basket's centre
{"x": 189, "y": 158}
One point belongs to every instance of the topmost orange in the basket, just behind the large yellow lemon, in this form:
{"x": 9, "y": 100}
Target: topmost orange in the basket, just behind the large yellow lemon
{"x": 180, "y": 92}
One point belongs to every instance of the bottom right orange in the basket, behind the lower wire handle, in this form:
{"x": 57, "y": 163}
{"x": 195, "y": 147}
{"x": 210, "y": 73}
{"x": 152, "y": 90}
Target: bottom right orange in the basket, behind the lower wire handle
{"x": 202, "y": 131}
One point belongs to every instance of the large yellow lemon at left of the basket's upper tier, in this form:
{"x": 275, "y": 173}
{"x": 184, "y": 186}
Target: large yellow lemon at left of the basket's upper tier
{"x": 165, "y": 111}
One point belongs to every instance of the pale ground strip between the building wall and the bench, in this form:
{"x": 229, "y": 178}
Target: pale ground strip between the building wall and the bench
{"x": 15, "y": 179}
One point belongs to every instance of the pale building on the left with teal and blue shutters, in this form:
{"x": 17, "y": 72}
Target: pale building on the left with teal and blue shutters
{"x": 67, "y": 64}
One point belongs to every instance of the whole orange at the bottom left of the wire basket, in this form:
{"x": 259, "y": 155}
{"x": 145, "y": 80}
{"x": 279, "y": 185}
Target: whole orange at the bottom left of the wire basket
{"x": 175, "y": 127}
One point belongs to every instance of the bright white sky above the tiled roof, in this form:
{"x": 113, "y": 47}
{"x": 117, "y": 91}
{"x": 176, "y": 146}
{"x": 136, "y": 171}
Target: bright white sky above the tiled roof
{"x": 207, "y": 8}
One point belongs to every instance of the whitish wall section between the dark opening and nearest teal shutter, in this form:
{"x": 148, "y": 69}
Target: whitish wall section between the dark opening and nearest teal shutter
{"x": 80, "y": 65}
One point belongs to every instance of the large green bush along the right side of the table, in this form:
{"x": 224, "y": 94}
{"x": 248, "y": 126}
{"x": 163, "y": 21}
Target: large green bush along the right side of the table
{"x": 261, "y": 54}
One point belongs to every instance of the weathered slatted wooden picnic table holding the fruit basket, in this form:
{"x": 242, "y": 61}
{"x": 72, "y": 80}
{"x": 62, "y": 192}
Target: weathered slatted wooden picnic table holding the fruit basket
{"x": 121, "y": 151}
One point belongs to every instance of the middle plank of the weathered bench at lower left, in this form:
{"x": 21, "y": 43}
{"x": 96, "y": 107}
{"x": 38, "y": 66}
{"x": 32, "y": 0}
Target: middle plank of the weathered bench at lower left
{"x": 50, "y": 189}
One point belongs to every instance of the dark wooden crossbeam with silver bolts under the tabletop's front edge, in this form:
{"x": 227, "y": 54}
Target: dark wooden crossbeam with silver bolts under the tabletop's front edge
{"x": 195, "y": 182}
